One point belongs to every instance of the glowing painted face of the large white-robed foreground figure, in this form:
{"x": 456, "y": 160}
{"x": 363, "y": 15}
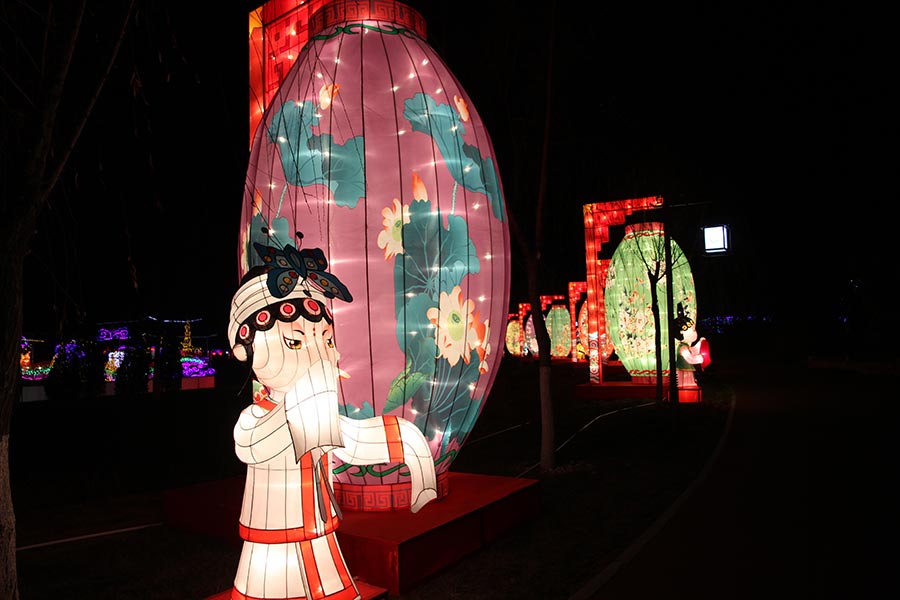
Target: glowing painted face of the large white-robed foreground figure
{"x": 285, "y": 353}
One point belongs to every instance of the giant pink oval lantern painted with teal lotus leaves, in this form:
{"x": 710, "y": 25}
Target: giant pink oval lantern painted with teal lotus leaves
{"x": 374, "y": 151}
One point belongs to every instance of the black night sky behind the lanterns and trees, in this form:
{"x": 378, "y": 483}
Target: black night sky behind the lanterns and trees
{"x": 771, "y": 119}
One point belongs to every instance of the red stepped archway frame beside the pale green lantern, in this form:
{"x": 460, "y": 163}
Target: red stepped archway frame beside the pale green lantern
{"x": 597, "y": 219}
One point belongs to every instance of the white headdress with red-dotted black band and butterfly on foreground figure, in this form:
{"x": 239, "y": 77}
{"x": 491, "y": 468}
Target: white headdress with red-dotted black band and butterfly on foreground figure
{"x": 289, "y": 283}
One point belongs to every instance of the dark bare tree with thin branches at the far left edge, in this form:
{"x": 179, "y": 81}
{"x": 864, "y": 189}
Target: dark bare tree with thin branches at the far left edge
{"x": 28, "y": 179}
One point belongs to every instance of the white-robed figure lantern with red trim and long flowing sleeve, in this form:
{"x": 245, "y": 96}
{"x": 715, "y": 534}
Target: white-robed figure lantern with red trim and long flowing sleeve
{"x": 280, "y": 323}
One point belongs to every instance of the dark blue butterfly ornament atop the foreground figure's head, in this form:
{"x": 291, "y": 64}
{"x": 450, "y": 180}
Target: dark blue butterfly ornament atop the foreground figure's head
{"x": 286, "y": 267}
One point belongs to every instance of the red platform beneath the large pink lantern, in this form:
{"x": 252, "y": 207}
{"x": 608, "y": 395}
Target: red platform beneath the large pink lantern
{"x": 386, "y": 551}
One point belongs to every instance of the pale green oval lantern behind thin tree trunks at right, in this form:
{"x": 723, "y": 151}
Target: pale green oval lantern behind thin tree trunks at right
{"x": 629, "y": 316}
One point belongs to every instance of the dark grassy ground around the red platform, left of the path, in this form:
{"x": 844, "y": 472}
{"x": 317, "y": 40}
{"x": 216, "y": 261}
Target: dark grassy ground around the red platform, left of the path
{"x": 90, "y": 467}
